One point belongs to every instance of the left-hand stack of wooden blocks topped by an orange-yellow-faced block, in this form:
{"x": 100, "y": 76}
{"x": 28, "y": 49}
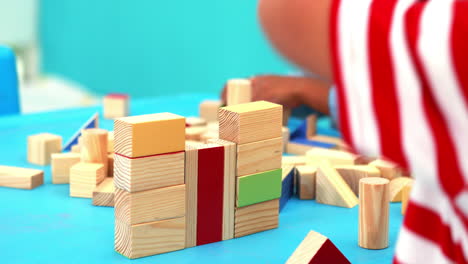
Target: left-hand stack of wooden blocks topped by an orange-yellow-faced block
{"x": 150, "y": 184}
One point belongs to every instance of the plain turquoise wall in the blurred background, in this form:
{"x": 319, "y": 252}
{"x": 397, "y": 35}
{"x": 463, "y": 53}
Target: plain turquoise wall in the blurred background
{"x": 154, "y": 47}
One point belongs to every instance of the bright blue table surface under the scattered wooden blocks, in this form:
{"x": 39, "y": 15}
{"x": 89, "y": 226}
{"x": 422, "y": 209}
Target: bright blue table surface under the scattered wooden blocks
{"x": 45, "y": 225}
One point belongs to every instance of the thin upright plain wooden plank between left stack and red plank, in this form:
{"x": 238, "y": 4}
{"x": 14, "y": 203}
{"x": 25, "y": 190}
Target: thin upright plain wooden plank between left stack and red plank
{"x": 191, "y": 182}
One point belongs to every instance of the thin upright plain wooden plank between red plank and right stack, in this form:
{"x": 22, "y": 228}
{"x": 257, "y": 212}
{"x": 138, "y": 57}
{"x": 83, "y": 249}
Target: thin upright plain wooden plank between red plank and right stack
{"x": 229, "y": 192}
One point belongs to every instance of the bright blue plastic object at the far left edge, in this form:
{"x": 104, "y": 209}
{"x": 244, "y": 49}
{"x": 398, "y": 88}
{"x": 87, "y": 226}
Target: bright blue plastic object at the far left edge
{"x": 9, "y": 98}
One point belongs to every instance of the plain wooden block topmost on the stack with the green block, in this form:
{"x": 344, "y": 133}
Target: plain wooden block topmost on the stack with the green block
{"x": 251, "y": 122}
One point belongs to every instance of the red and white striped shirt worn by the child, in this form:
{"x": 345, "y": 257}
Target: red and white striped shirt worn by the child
{"x": 401, "y": 70}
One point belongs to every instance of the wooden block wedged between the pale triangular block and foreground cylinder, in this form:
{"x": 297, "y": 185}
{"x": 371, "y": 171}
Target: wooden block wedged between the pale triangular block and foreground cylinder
{"x": 352, "y": 174}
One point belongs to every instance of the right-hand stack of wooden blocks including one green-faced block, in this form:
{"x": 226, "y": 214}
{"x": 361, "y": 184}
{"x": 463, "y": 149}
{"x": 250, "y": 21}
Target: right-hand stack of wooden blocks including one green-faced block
{"x": 256, "y": 128}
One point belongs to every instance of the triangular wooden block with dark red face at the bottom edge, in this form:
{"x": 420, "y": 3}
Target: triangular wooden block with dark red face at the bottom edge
{"x": 317, "y": 249}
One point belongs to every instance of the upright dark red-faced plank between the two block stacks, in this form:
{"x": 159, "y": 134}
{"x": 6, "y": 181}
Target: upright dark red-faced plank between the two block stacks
{"x": 210, "y": 193}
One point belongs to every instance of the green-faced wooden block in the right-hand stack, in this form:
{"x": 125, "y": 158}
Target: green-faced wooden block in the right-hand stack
{"x": 259, "y": 187}
